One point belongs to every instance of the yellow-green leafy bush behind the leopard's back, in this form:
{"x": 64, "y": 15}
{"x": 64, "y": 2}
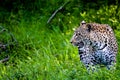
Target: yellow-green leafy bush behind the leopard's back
{"x": 106, "y": 14}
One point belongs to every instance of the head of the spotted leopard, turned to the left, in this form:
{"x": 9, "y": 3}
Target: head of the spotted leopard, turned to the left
{"x": 81, "y": 34}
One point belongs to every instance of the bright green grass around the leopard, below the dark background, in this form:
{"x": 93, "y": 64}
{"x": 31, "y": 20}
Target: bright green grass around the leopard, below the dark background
{"x": 43, "y": 53}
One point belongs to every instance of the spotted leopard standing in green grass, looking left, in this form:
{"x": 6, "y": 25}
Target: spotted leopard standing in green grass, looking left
{"x": 97, "y": 45}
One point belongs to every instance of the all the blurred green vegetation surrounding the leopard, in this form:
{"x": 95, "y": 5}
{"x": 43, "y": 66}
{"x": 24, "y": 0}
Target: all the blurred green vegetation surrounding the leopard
{"x": 43, "y": 51}
